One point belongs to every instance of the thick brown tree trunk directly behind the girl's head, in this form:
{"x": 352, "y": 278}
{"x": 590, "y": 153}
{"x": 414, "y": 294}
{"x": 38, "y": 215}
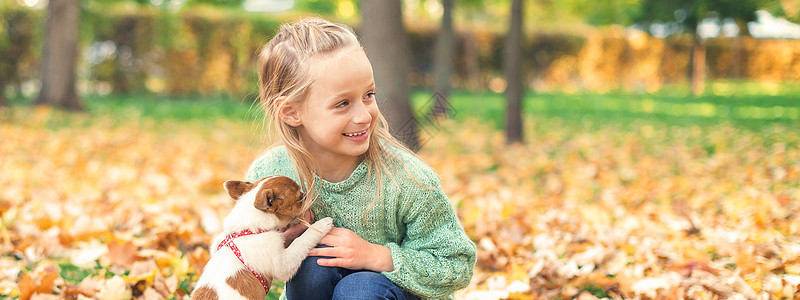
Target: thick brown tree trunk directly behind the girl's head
{"x": 386, "y": 44}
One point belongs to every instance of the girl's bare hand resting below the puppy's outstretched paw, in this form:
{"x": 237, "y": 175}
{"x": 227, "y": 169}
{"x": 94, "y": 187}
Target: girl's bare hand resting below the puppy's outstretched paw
{"x": 350, "y": 251}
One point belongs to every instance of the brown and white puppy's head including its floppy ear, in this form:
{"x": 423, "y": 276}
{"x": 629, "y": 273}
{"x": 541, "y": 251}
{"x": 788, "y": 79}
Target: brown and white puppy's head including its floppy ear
{"x": 279, "y": 195}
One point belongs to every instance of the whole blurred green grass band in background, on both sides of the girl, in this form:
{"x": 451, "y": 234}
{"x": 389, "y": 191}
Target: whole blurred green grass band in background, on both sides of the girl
{"x": 744, "y": 104}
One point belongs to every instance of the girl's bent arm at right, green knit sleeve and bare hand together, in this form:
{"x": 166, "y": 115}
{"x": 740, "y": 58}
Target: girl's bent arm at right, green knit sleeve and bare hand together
{"x": 434, "y": 260}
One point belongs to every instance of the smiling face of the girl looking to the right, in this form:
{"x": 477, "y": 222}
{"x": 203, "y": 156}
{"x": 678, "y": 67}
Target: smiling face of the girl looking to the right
{"x": 337, "y": 118}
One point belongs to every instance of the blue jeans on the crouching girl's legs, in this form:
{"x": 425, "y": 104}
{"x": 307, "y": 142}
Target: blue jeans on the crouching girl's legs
{"x": 313, "y": 281}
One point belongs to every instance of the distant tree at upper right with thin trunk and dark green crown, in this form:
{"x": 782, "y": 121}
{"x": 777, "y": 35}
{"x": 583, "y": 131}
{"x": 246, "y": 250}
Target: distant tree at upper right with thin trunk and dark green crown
{"x": 689, "y": 14}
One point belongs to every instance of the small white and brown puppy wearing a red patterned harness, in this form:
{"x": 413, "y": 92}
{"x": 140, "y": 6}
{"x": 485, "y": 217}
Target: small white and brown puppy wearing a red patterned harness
{"x": 249, "y": 252}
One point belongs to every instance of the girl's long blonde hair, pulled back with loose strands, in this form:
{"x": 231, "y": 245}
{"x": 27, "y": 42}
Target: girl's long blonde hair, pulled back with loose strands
{"x": 284, "y": 76}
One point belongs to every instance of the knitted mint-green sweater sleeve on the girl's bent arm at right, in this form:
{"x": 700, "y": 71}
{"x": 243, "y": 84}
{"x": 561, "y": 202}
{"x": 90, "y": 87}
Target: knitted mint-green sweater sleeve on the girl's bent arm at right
{"x": 436, "y": 257}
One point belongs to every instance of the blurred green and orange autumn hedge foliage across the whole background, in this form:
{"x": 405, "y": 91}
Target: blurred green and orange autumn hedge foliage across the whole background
{"x": 207, "y": 47}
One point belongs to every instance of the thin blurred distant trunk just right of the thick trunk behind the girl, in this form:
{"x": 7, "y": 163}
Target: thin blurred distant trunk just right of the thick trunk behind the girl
{"x": 443, "y": 62}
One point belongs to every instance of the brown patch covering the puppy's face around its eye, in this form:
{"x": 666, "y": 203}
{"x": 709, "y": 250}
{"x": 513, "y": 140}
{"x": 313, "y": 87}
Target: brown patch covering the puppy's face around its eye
{"x": 282, "y": 196}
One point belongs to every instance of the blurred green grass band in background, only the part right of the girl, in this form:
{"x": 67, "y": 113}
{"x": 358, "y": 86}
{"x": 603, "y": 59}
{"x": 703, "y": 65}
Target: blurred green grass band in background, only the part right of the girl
{"x": 749, "y": 111}
